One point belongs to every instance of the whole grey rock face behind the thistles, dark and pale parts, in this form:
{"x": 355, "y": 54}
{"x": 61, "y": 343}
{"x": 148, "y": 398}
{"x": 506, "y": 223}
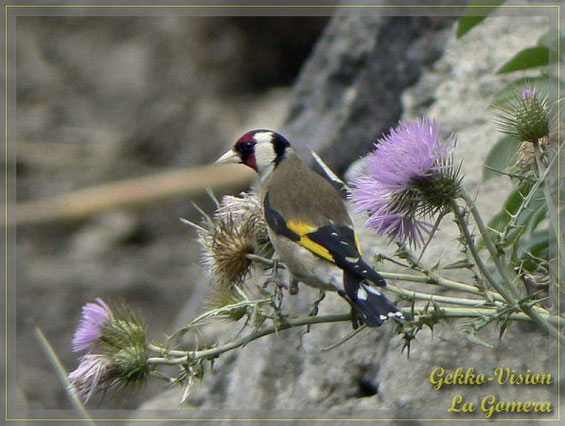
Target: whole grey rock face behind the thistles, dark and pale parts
{"x": 355, "y": 85}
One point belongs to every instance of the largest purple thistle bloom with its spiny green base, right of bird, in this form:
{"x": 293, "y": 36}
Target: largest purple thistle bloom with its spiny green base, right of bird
{"x": 409, "y": 176}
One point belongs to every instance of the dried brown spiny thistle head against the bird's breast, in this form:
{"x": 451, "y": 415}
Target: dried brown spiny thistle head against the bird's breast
{"x": 236, "y": 230}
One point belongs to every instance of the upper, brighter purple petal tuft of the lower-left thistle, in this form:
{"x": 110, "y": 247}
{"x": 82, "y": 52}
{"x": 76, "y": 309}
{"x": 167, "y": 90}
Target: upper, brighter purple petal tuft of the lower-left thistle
{"x": 94, "y": 316}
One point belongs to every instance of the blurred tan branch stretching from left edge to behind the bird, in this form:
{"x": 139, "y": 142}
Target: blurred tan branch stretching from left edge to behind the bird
{"x": 127, "y": 193}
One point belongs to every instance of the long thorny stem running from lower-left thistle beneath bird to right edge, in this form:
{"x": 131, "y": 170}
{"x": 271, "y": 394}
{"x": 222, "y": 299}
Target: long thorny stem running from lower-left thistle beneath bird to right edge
{"x": 176, "y": 357}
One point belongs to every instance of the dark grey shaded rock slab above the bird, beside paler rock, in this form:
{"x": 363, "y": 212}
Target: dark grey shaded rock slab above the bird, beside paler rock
{"x": 349, "y": 92}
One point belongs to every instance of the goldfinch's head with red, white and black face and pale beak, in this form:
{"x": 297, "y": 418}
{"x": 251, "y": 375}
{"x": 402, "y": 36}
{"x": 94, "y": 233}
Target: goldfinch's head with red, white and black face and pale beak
{"x": 260, "y": 149}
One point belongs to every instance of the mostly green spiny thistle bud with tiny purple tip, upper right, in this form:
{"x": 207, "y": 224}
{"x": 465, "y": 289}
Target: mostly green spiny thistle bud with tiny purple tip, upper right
{"x": 527, "y": 116}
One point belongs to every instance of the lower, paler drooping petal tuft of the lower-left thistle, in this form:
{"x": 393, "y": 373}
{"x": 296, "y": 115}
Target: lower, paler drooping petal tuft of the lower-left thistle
{"x": 88, "y": 375}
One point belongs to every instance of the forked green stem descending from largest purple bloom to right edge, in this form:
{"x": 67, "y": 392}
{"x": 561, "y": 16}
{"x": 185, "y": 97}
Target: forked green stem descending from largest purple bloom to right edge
{"x": 510, "y": 294}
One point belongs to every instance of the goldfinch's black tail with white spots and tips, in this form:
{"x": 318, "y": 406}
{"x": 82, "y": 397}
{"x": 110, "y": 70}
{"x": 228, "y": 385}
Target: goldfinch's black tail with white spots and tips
{"x": 372, "y": 306}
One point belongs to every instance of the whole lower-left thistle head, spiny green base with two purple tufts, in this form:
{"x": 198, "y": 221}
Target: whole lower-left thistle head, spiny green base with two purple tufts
{"x": 115, "y": 340}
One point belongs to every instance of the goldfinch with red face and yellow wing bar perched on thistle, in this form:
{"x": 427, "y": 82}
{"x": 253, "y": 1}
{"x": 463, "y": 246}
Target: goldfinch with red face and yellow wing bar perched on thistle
{"x": 310, "y": 228}
